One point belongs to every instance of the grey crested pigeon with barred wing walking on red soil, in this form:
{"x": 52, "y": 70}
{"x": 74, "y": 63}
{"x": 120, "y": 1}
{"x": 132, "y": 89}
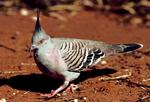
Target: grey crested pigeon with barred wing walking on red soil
{"x": 66, "y": 58}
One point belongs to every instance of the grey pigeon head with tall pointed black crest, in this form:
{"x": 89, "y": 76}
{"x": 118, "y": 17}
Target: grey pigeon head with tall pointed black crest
{"x": 39, "y": 37}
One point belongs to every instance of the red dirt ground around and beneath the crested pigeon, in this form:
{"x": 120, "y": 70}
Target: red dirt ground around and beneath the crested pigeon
{"x": 26, "y": 86}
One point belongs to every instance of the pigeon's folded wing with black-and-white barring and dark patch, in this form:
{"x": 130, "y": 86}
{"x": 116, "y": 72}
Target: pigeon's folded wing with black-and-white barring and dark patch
{"x": 78, "y": 54}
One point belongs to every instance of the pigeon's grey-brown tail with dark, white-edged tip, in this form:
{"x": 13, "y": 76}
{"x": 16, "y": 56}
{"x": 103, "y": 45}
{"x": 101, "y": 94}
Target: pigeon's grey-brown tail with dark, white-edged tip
{"x": 121, "y": 48}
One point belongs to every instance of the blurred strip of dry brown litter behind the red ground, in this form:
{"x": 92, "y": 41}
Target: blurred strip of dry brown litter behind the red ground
{"x": 135, "y": 12}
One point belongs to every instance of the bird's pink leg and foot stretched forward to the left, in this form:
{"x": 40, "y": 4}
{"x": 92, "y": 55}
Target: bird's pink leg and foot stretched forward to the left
{"x": 55, "y": 92}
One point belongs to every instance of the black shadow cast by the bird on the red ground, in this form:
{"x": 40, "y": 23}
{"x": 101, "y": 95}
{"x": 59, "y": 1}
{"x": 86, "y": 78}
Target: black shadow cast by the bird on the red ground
{"x": 44, "y": 84}
